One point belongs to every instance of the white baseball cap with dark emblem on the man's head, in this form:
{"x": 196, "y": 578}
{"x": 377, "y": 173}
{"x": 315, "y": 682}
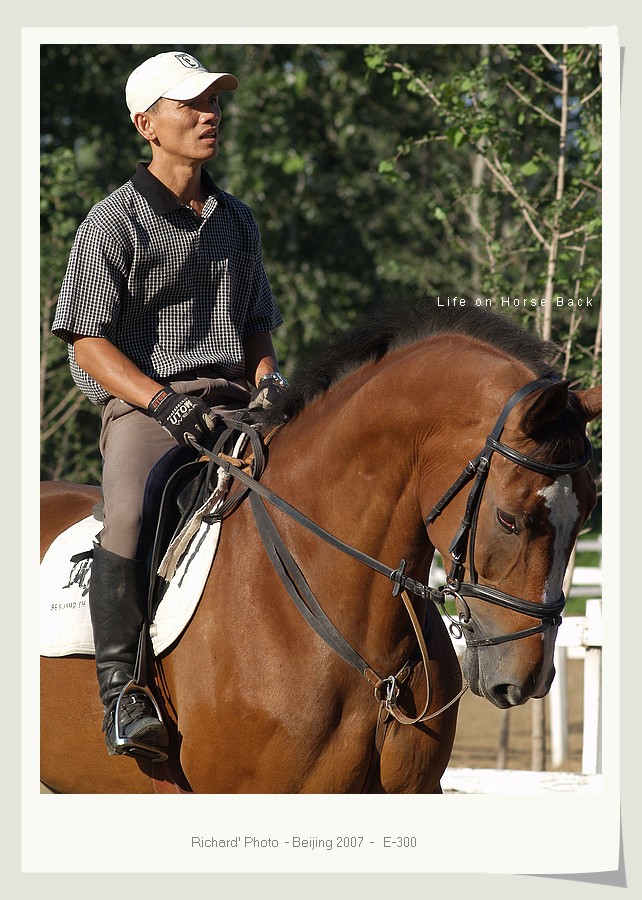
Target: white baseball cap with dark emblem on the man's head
{"x": 175, "y": 75}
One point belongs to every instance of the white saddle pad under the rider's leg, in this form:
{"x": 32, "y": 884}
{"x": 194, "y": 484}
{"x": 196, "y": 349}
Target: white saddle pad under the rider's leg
{"x": 65, "y": 573}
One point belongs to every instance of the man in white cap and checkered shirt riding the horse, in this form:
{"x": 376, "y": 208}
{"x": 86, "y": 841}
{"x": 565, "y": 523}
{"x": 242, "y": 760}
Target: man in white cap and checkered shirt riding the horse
{"x": 163, "y": 330}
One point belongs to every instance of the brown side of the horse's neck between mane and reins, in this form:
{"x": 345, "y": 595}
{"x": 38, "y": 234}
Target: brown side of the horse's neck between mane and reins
{"x": 364, "y": 458}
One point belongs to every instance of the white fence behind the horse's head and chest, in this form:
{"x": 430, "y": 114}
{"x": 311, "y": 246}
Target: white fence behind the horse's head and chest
{"x": 579, "y": 637}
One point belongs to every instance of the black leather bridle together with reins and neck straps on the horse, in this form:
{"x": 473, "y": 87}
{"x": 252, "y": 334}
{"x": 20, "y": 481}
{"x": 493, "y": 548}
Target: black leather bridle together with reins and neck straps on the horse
{"x": 387, "y": 689}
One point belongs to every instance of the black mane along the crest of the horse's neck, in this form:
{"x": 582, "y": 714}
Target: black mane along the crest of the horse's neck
{"x": 397, "y": 325}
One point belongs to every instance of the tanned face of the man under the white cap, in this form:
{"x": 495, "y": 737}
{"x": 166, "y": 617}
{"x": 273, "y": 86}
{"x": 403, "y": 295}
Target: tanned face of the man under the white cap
{"x": 187, "y": 129}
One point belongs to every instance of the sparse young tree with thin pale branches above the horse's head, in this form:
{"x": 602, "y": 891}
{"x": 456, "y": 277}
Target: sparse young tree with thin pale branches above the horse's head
{"x": 525, "y": 205}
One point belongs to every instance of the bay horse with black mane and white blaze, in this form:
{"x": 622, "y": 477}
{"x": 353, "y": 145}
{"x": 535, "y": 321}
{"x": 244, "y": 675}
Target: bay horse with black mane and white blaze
{"x": 422, "y": 429}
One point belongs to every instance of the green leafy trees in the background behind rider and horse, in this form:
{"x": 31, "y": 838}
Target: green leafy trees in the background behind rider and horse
{"x": 374, "y": 172}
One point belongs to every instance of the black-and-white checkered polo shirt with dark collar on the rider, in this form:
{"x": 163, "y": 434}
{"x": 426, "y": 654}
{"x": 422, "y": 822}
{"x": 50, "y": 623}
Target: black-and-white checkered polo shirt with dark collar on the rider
{"x": 174, "y": 291}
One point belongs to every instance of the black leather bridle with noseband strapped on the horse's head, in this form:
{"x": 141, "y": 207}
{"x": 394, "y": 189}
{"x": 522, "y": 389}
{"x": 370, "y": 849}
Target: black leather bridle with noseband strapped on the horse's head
{"x": 464, "y": 539}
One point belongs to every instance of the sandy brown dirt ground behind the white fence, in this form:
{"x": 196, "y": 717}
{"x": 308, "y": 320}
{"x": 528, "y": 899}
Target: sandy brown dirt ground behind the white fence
{"x": 479, "y": 729}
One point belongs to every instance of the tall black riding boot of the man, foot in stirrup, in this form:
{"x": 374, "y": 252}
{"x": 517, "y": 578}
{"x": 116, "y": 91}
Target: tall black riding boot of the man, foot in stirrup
{"x": 116, "y": 603}
